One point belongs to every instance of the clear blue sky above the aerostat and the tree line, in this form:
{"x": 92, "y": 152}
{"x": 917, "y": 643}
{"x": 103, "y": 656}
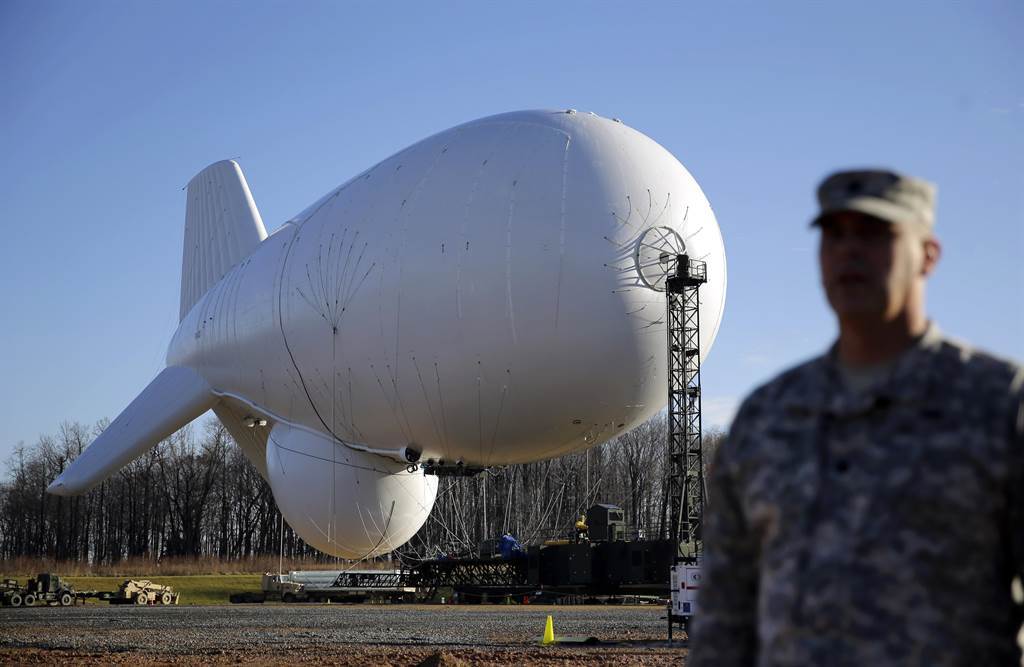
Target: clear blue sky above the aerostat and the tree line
{"x": 107, "y": 110}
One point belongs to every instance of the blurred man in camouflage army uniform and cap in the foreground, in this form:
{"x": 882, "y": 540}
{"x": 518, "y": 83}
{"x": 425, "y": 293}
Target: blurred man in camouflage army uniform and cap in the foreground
{"x": 868, "y": 508}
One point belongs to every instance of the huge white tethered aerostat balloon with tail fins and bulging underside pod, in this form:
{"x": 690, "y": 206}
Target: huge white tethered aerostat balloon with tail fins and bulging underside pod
{"x": 488, "y": 297}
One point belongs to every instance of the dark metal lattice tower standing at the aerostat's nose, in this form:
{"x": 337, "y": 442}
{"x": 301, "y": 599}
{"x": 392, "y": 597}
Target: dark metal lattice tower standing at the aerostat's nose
{"x": 687, "y": 483}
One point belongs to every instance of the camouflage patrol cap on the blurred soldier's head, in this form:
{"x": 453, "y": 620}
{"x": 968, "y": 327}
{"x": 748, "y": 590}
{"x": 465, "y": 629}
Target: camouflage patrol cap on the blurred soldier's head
{"x": 879, "y": 193}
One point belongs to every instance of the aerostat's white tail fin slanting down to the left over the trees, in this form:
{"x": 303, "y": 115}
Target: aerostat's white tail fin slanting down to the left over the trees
{"x": 174, "y": 399}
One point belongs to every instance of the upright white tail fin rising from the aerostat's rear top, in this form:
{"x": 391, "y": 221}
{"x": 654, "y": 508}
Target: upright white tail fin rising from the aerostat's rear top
{"x": 223, "y": 228}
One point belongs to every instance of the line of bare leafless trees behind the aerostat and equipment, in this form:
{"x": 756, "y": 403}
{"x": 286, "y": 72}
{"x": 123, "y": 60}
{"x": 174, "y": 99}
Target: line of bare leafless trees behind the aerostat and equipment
{"x": 196, "y": 495}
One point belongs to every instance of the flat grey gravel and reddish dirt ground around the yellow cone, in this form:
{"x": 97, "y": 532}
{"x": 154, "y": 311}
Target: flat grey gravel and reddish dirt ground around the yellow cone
{"x": 339, "y": 635}
